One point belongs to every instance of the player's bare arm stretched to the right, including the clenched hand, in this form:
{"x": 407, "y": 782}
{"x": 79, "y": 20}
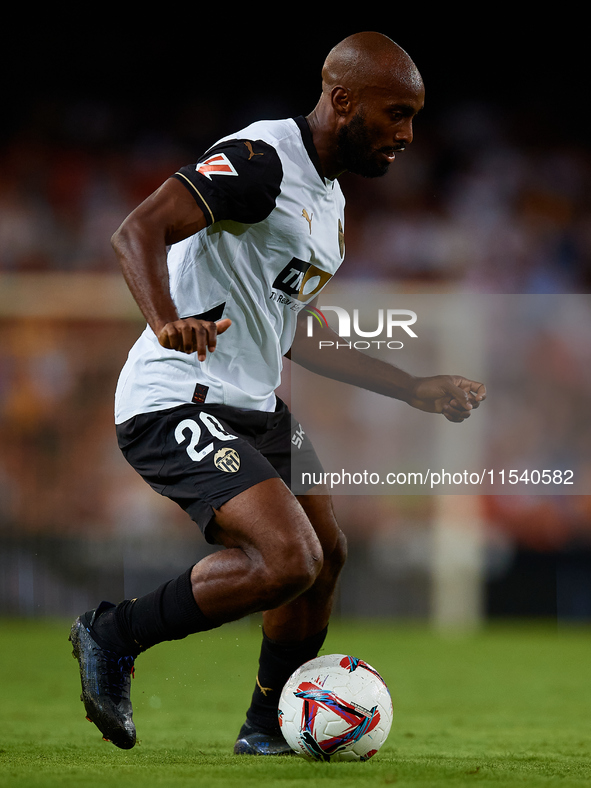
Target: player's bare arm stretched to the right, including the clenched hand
{"x": 452, "y": 395}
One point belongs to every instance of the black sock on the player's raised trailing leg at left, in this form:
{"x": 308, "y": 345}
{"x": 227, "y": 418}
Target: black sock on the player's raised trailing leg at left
{"x": 134, "y": 625}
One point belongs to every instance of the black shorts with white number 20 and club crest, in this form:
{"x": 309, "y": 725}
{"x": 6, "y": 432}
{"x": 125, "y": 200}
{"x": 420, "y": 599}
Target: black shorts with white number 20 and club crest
{"x": 201, "y": 456}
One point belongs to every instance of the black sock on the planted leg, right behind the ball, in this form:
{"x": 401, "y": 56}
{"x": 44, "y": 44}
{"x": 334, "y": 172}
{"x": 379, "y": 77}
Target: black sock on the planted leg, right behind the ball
{"x": 277, "y": 662}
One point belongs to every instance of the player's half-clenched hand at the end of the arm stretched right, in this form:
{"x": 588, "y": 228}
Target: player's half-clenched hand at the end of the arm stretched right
{"x": 452, "y": 395}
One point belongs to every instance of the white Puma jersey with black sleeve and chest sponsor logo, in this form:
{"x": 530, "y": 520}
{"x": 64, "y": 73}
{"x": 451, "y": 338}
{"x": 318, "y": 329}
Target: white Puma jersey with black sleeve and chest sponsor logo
{"x": 274, "y": 239}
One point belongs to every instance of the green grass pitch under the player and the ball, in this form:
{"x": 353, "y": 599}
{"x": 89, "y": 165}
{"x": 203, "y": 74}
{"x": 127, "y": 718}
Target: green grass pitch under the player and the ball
{"x": 508, "y": 706}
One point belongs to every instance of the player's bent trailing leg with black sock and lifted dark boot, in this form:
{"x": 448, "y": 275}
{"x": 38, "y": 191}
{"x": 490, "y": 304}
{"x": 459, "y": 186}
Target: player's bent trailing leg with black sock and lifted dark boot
{"x": 272, "y": 555}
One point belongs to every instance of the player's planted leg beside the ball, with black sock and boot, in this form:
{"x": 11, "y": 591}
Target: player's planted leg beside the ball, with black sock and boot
{"x": 293, "y": 633}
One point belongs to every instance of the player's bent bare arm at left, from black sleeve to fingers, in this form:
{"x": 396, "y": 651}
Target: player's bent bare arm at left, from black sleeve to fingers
{"x": 167, "y": 216}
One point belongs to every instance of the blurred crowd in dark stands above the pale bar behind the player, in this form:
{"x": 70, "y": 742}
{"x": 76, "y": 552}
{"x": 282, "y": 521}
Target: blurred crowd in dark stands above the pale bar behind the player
{"x": 478, "y": 200}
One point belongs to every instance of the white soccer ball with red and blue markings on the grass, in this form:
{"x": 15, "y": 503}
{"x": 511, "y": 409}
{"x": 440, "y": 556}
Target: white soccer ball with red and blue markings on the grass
{"x": 335, "y": 708}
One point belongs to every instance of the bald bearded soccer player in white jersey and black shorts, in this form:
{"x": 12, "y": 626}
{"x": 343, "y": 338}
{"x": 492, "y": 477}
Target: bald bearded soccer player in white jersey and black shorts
{"x": 220, "y": 259}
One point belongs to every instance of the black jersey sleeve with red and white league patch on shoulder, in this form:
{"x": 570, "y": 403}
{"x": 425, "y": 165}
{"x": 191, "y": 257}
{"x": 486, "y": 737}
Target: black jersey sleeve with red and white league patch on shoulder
{"x": 238, "y": 180}
